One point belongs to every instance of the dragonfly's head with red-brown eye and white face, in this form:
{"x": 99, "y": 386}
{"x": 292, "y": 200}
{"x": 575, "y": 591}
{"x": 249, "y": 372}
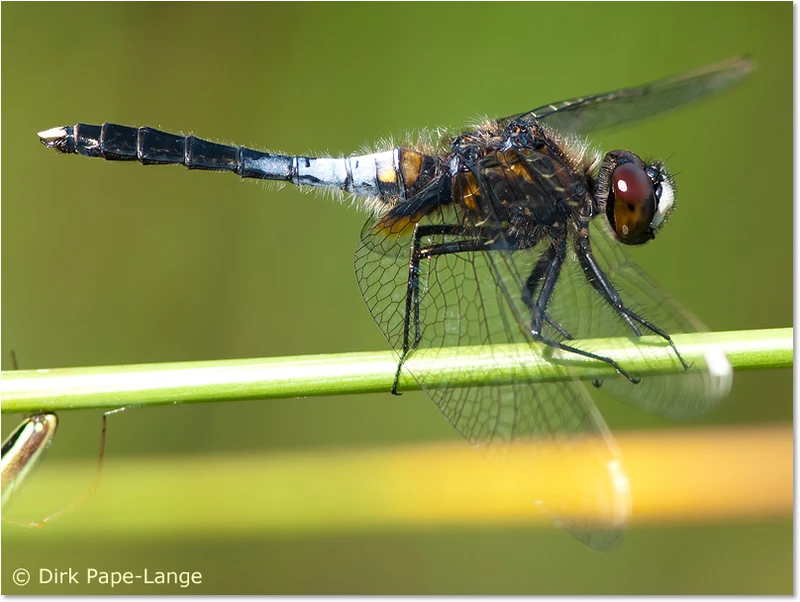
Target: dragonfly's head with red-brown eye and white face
{"x": 638, "y": 197}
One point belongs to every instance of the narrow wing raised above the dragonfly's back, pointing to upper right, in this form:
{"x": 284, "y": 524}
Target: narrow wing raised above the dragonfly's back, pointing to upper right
{"x": 602, "y": 111}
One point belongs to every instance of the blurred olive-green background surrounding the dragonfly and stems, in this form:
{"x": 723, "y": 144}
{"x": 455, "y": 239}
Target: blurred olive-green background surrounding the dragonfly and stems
{"x": 108, "y": 263}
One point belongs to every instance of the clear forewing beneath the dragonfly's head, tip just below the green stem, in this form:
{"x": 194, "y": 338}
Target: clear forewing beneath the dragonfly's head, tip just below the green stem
{"x": 578, "y": 309}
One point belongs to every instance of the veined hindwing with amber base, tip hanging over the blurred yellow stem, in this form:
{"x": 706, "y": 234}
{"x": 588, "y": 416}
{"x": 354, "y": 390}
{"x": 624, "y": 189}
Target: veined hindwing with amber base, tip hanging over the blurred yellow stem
{"x": 466, "y": 299}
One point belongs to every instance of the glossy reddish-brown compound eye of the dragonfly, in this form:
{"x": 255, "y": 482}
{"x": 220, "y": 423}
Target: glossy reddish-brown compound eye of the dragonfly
{"x": 634, "y": 204}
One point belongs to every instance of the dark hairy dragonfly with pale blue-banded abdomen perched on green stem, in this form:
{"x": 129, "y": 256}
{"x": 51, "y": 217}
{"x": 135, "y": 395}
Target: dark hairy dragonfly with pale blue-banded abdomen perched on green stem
{"x": 509, "y": 234}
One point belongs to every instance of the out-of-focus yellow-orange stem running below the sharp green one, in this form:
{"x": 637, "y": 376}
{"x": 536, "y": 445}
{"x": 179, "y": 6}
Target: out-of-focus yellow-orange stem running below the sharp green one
{"x": 676, "y": 476}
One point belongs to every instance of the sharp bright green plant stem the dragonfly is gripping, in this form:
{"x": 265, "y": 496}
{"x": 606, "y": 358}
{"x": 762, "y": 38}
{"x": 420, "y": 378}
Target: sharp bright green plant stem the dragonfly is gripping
{"x": 369, "y": 372}
